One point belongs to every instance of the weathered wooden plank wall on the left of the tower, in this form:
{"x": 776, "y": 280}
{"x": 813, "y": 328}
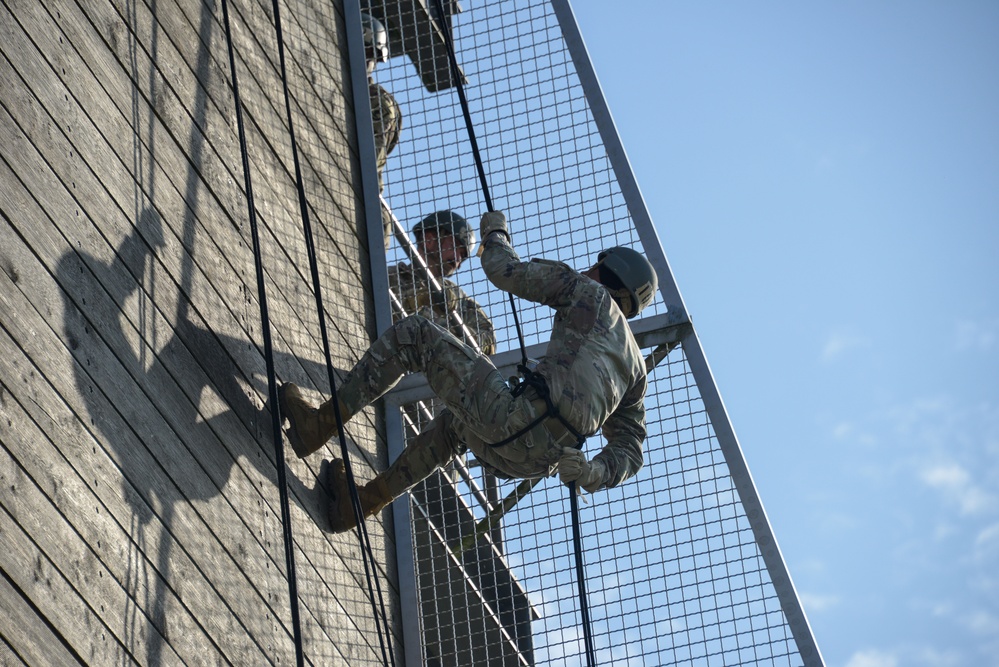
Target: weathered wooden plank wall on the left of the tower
{"x": 140, "y": 513}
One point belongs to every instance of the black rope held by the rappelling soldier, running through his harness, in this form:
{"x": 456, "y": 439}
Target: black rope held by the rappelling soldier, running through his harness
{"x": 529, "y": 376}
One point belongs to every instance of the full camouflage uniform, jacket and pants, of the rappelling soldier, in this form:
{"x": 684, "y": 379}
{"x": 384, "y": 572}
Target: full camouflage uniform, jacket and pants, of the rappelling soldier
{"x": 594, "y": 370}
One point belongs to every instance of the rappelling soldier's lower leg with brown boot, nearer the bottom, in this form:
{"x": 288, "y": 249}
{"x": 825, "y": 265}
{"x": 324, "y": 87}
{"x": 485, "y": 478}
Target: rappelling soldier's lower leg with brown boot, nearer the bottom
{"x": 434, "y": 447}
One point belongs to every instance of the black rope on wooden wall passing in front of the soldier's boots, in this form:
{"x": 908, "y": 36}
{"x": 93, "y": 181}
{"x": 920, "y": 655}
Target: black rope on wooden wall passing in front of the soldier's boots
{"x": 370, "y": 564}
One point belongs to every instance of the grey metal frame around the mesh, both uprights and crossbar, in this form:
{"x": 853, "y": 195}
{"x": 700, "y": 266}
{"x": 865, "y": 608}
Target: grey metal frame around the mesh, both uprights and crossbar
{"x": 675, "y": 325}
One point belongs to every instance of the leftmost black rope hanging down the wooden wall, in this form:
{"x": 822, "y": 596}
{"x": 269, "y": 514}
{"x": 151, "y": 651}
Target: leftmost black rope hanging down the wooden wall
{"x": 289, "y": 552}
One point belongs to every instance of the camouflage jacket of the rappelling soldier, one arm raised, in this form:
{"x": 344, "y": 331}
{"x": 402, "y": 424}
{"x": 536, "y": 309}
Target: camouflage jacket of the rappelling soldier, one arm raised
{"x": 593, "y": 366}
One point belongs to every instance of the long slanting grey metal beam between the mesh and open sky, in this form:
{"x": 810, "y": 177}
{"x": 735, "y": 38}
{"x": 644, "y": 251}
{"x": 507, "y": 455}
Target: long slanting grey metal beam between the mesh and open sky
{"x": 720, "y": 422}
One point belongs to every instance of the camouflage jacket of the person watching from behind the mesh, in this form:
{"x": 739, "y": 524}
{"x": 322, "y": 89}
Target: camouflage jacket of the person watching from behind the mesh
{"x": 417, "y": 298}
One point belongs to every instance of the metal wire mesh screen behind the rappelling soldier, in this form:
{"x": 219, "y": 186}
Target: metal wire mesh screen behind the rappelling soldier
{"x": 674, "y": 573}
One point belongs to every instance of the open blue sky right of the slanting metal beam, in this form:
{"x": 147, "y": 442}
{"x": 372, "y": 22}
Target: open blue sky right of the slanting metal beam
{"x": 825, "y": 180}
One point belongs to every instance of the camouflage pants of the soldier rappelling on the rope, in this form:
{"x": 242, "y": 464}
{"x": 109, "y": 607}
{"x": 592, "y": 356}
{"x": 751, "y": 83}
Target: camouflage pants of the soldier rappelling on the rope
{"x": 480, "y": 406}
